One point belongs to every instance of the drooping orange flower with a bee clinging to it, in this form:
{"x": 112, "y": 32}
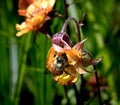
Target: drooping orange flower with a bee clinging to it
{"x": 66, "y": 63}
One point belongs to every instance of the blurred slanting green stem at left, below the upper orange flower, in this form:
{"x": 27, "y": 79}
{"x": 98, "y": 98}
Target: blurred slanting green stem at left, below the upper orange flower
{"x": 22, "y": 69}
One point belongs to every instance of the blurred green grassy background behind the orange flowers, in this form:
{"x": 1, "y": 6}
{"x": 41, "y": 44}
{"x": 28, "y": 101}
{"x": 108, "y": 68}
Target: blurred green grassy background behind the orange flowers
{"x": 24, "y": 79}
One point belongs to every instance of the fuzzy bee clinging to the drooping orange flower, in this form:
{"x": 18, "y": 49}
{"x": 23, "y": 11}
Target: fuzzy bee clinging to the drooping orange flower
{"x": 56, "y": 62}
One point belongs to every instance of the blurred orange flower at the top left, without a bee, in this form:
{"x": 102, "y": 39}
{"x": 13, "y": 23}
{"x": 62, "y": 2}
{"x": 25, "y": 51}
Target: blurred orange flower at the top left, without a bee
{"x": 36, "y": 13}
